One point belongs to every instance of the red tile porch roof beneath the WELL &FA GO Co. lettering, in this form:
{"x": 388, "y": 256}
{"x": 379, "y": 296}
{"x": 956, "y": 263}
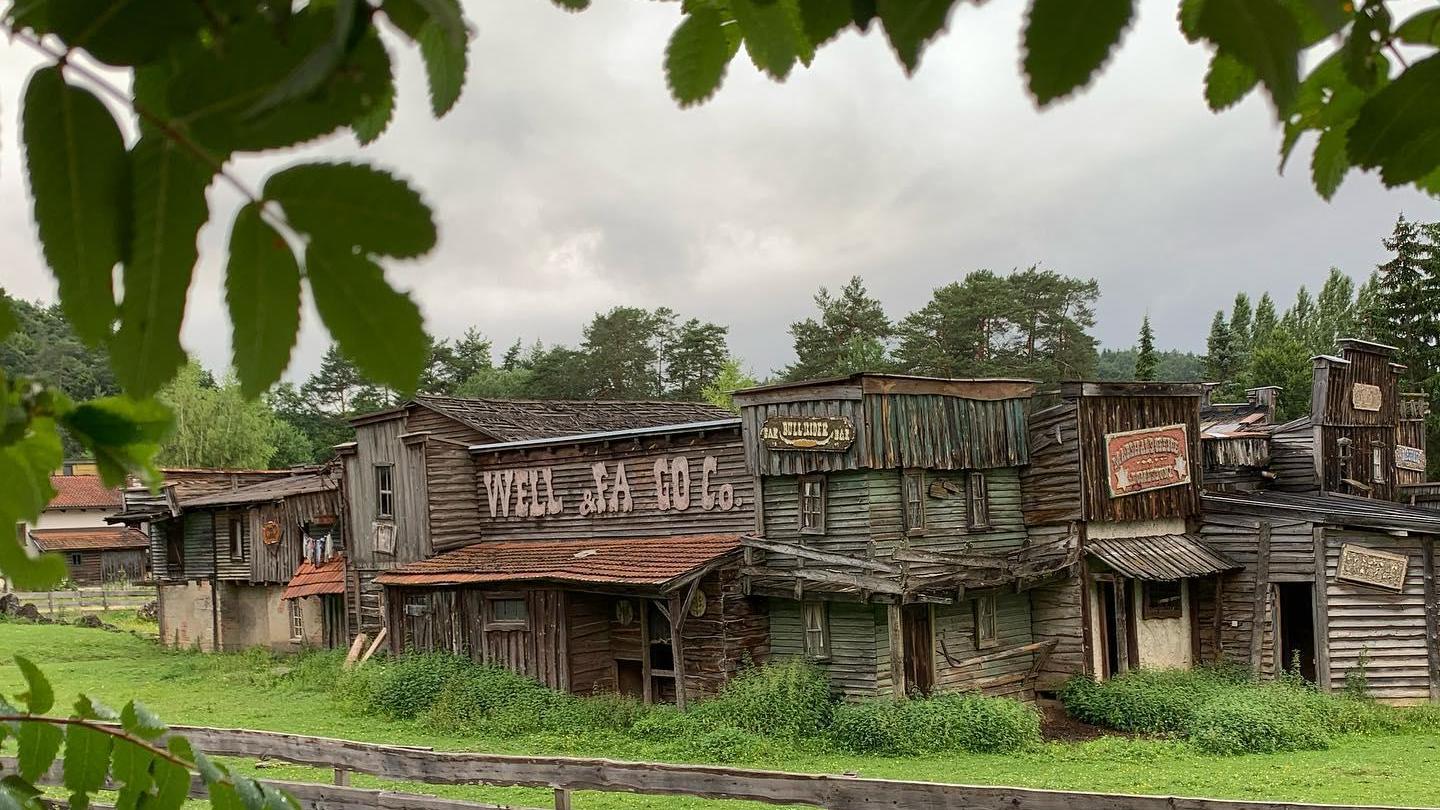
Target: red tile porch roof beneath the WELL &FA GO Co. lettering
{"x": 631, "y": 561}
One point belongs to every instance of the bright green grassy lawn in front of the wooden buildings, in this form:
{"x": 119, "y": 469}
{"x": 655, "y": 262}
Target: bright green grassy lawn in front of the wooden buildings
{"x": 254, "y": 693}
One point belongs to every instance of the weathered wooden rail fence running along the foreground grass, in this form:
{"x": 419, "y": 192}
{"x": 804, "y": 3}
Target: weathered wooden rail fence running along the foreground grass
{"x": 565, "y": 775}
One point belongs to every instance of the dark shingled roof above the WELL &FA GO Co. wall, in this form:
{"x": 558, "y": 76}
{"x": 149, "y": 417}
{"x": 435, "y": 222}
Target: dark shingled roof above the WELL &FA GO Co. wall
{"x": 513, "y": 420}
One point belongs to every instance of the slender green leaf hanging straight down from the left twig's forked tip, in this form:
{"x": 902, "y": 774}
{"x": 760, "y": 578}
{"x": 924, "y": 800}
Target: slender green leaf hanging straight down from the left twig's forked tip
{"x": 263, "y": 292}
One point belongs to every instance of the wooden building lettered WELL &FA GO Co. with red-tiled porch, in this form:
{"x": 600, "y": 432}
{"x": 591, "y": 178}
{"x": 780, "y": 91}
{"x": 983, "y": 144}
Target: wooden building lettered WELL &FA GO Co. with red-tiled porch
{"x": 600, "y": 563}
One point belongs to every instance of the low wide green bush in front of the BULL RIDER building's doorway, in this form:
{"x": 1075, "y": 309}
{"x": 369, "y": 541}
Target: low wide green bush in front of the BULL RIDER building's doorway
{"x": 944, "y": 723}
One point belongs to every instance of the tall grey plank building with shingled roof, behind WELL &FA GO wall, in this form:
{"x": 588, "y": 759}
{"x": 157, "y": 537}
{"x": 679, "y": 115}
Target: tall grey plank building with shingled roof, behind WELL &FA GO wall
{"x": 411, "y": 486}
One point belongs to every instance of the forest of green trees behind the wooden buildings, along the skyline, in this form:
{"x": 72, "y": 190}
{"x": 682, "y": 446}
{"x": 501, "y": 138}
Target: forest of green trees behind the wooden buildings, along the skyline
{"x": 1030, "y": 324}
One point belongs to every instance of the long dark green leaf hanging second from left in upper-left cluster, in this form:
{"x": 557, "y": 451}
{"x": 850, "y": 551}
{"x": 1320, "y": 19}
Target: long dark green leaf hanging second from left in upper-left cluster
{"x": 171, "y": 208}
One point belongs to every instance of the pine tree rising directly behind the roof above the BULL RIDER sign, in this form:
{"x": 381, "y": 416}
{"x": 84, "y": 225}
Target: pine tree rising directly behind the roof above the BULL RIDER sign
{"x": 853, "y": 328}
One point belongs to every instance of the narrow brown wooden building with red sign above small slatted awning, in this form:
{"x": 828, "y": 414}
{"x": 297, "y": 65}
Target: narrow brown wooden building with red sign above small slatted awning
{"x": 1115, "y": 472}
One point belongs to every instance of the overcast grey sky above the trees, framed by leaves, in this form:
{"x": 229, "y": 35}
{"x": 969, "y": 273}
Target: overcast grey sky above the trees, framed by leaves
{"x": 568, "y": 182}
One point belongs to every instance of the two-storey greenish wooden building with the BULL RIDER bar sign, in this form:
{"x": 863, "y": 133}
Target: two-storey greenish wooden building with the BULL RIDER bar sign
{"x": 891, "y": 546}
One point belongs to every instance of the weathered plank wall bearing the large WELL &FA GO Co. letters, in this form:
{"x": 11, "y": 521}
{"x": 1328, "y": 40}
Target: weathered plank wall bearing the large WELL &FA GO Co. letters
{"x": 693, "y": 465}
